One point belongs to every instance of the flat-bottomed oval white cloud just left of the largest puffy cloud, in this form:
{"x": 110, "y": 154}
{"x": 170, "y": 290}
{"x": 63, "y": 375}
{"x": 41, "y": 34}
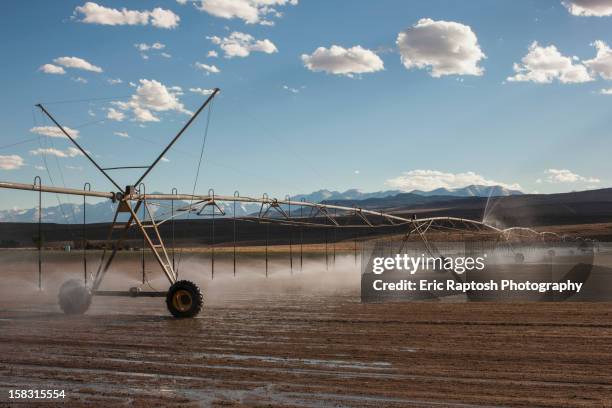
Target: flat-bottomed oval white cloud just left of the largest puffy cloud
{"x": 341, "y": 61}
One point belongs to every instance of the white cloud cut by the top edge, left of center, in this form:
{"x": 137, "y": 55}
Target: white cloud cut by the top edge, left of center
{"x": 250, "y": 11}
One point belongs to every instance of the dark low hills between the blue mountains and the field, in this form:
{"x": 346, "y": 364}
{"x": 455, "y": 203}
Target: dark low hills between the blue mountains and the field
{"x": 527, "y": 210}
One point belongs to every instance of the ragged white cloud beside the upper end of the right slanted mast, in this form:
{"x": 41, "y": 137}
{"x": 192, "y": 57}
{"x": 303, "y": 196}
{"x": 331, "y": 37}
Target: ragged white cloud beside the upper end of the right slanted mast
{"x": 152, "y": 96}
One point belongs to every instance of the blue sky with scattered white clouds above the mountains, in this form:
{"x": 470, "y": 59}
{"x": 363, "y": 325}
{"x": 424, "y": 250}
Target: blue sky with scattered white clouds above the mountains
{"x": 314, "y": 94}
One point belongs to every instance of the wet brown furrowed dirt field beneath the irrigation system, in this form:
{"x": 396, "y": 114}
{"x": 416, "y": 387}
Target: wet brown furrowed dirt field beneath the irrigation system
{"x": 304, "y": 340}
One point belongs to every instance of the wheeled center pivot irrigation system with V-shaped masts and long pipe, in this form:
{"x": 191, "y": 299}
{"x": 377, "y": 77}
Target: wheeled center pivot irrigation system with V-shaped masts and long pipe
{"x": 184, "y": 298}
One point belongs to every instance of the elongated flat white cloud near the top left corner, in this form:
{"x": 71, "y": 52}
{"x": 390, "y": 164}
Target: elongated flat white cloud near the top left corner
{"x": 93, "y": 13}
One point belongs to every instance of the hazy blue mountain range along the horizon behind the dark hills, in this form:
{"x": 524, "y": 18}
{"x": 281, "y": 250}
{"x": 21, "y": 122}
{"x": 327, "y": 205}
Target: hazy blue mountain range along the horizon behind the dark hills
{"x": 70, "y": 213}
